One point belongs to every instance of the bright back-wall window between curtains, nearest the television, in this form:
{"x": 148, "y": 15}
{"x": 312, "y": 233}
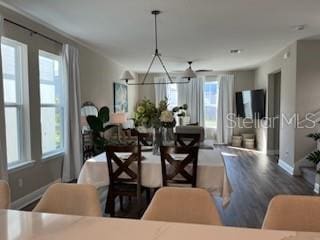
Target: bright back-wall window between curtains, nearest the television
{"x": 211, "y": 91}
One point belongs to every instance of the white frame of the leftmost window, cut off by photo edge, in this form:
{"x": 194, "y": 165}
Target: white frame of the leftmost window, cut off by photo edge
{"x": 19, "y": 78}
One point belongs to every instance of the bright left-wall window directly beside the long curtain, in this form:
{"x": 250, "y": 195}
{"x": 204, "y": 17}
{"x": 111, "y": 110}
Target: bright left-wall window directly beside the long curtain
{"x": 52, "y": 102}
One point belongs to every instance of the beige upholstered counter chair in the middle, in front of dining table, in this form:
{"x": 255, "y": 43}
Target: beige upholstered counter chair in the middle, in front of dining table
{"x": 185, "y": 205}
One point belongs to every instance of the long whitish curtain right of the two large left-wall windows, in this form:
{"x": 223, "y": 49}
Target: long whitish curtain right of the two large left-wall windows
{"x": 73, "y": 145}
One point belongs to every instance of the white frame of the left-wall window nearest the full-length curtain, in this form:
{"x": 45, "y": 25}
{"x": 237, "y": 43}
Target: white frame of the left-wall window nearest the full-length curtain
{"x": 60, "y": 107}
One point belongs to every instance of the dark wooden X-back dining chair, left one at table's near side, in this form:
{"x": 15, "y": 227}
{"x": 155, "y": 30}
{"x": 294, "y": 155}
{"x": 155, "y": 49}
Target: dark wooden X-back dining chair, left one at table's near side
{"x": 124, "y": 174}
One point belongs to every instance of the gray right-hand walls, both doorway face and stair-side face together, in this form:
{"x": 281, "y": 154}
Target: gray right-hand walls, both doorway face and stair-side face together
{"x": 299, "y": 94}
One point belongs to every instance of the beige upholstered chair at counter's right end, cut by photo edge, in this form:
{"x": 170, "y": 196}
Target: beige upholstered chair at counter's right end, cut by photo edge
{"x": 293, "y": 213}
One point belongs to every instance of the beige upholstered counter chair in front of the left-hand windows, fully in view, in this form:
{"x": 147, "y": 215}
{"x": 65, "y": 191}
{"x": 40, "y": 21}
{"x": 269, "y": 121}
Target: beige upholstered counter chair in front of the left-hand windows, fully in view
{"x": 72, "y": 199}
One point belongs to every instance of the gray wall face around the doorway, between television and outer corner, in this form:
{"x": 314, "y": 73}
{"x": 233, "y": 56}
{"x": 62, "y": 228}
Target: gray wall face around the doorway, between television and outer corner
{"x": 288, "y": 99}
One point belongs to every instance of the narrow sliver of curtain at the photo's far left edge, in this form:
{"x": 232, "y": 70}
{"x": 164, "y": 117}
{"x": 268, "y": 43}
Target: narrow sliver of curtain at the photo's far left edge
{"x": 3, "y": 149}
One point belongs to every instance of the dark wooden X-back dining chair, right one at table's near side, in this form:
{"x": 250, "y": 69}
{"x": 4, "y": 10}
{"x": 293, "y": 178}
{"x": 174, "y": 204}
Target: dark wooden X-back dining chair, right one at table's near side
{"x": 174, "y": 164}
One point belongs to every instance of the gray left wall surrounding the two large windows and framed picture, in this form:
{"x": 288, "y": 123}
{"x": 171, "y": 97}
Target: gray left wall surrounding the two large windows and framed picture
{"x": 97, "y": 75}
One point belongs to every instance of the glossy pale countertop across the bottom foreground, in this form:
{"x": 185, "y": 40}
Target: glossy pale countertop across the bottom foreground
{"x": 22, "y": 225}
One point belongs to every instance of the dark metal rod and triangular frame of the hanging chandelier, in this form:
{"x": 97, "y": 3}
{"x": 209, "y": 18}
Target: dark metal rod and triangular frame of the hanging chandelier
{"x": 156, "y": 55}
